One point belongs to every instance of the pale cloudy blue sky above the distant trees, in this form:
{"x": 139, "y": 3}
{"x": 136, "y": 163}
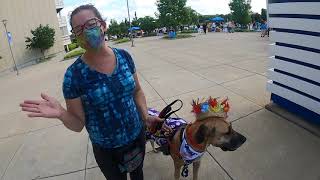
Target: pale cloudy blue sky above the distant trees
{"x": 117, "y": 9}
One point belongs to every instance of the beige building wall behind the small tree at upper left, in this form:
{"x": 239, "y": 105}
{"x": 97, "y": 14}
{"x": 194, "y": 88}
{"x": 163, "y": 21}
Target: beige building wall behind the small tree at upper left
{"x": 23, "y": 16}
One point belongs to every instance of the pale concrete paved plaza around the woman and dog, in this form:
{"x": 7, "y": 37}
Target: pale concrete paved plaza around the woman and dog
{"x": 215, "y": 64}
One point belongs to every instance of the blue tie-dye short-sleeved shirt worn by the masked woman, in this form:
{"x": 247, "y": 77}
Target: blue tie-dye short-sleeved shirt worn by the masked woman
{"x": 112, "y": 117}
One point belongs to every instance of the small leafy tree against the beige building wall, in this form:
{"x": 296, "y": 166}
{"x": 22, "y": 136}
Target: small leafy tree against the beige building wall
{"x": 43, "y": 39}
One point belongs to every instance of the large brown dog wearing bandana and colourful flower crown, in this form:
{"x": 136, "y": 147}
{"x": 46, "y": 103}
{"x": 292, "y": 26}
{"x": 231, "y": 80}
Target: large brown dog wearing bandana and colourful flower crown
{"x": 200, "y": 134}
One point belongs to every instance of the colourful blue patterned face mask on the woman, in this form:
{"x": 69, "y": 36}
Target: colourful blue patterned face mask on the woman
{"x": 94, "y": 37}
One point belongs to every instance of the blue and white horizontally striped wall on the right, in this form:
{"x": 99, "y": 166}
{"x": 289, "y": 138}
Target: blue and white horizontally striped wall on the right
{"x": 294, "y": 74}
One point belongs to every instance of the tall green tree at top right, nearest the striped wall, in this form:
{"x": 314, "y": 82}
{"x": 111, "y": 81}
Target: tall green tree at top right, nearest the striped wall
{"x": 240, "y": 11}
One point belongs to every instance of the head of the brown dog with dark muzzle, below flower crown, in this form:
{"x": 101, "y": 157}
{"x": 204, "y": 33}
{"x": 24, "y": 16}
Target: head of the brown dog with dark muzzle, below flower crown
{"x": 218, "y": 132}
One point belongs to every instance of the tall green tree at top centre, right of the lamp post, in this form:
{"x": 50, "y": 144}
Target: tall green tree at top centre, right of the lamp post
{"x": 171, "y": 12}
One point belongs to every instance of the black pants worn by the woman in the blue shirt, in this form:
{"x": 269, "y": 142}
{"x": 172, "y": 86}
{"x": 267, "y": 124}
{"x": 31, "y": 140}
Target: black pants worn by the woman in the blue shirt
{"x": 107, "y": 160}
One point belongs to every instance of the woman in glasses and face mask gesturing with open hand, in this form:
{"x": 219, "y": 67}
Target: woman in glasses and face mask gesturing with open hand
{"x": 103, "y": 93}
